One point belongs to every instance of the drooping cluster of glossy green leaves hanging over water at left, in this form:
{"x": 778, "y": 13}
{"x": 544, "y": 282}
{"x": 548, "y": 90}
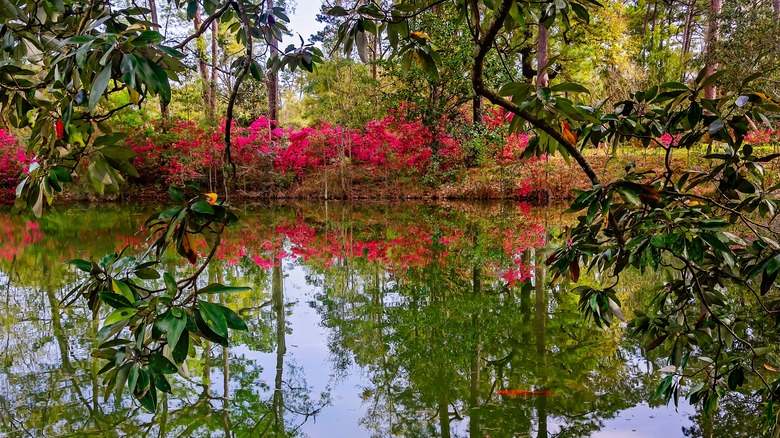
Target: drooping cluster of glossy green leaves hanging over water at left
{"x": 151, "y": 331}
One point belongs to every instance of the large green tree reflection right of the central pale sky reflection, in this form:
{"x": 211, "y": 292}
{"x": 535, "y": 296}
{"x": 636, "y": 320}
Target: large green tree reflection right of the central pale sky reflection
{"x": 441, "y": 340}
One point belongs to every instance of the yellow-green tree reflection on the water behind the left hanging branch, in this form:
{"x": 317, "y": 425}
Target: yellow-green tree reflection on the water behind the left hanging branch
{"x": 49, "y": 386}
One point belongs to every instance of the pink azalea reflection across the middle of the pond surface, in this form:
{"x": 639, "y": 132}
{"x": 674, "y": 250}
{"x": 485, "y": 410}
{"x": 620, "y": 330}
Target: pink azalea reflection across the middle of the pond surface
{"x": 409, "y": 248}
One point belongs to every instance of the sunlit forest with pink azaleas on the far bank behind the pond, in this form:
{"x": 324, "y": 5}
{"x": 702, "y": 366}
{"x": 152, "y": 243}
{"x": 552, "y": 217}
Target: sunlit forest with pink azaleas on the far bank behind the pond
{"x": 364, "y": 125}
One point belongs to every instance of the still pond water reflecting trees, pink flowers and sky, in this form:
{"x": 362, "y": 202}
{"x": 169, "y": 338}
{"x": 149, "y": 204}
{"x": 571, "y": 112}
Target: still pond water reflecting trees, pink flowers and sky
{"x": 378, "y": 320}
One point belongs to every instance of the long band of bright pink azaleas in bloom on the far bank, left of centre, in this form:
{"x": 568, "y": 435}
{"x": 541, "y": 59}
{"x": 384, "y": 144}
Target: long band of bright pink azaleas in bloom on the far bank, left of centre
{"x": 176, "y": 151}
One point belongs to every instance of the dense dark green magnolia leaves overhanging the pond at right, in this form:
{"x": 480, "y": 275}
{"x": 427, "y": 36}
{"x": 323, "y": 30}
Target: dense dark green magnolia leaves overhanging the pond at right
{"x": 705, "y": 243}
